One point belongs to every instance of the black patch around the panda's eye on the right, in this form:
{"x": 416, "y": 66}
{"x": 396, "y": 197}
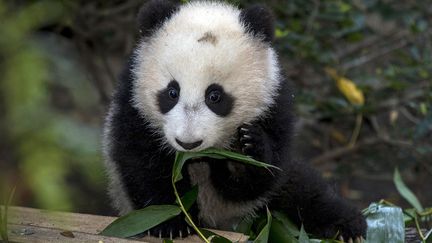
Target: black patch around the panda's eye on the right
{"x": 218, "y": 101}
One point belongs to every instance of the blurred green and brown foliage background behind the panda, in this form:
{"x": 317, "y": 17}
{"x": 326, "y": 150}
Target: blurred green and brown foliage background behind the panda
{"x": 361, "y": 70}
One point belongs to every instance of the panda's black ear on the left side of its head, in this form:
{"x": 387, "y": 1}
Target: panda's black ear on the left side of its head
{"x": 153, "y": 14}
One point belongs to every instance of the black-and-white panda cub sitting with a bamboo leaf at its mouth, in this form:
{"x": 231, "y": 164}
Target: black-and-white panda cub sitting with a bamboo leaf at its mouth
{"x": 204, "y": 74}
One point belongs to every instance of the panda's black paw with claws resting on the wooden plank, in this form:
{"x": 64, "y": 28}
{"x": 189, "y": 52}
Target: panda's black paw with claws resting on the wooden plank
{"x": 173, "y": 228}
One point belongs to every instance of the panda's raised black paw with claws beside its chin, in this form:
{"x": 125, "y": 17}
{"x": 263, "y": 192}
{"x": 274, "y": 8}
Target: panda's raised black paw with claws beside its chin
{"x": 251, "y": 142}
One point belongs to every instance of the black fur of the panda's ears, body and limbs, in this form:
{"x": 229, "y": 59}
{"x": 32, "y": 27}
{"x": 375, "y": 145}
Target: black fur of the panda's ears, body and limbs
{"x": 143, "y": 166}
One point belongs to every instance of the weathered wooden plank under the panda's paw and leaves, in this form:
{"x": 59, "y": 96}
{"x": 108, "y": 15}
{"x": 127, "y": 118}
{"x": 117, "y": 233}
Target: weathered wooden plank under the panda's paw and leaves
{"x": 35, "y": 225}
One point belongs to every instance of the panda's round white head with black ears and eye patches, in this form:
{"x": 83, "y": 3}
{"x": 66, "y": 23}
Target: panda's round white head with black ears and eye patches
{"x": 202, "y": 69}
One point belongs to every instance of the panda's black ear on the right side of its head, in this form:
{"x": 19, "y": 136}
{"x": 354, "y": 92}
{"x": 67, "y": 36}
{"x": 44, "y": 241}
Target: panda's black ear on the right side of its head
{"x": 259, "y": 21}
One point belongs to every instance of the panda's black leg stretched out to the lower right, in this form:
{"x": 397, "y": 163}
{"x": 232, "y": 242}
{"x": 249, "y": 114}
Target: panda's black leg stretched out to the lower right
{"x": 309, "y": 200}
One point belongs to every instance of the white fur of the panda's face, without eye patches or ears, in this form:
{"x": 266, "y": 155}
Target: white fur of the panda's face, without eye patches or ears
{"x": 245, "y": 67}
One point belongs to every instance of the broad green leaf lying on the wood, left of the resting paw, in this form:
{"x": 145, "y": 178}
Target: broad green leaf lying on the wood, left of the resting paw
{"x": 141, "y": 220}
